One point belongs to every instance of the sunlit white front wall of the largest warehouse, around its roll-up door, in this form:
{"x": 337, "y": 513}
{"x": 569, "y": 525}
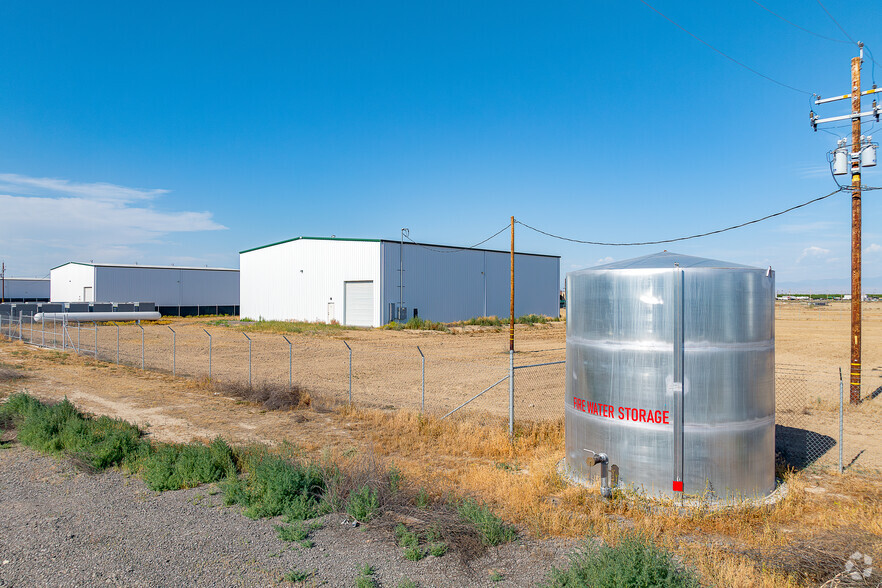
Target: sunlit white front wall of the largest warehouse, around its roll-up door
{"x": 297, "y": 280}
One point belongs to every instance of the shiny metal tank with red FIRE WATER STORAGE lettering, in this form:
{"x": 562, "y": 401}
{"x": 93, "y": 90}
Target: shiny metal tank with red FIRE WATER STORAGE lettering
{"x": 670, "y": 373}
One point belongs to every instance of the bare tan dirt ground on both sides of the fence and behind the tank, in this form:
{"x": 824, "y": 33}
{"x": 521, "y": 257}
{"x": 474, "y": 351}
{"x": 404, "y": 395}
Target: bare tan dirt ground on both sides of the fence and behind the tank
{"x": 812, "y": 344}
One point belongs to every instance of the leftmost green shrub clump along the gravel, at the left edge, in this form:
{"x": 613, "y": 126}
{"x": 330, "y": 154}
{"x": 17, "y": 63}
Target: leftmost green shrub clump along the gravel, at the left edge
{"x": 60, "y": 428}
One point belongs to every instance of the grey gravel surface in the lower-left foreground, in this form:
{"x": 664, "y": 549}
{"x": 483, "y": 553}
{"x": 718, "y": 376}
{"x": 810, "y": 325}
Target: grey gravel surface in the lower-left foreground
{"x": 63, "y": 527}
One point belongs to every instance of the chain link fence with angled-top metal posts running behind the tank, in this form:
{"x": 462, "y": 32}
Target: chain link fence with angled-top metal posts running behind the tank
{"x": 434, "y": 375}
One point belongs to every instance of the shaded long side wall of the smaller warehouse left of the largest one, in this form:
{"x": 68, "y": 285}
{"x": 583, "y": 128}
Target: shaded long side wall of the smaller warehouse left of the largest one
{"x": 167, "y": 286}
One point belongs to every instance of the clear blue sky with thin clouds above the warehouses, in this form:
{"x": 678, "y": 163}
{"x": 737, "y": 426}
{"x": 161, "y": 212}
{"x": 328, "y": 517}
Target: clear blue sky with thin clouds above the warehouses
{"x": 185, "y": 132}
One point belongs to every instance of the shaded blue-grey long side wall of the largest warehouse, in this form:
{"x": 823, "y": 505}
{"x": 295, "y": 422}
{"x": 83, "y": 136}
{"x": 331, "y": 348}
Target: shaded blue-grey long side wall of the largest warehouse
{"x": 456, "y": 284}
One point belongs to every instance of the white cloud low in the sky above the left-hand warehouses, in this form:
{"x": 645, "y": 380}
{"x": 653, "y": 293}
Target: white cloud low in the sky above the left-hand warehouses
{"x": 49, "y": 221}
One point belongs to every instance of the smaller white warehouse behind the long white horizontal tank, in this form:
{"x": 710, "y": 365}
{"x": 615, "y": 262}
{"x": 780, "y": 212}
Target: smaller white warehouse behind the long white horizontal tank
{"x": 175, "y": 290}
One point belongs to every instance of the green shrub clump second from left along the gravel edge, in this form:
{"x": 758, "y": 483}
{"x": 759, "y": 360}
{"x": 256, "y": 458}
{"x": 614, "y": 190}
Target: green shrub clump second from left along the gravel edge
{"x": 171, "y": 467}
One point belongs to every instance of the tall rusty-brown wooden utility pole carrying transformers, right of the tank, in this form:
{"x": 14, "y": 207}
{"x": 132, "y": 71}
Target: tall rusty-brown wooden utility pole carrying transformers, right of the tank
{"x": 855, "y": 396}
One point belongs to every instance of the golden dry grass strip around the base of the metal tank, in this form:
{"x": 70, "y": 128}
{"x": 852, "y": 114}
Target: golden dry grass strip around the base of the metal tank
{"x": 727, "y": 547}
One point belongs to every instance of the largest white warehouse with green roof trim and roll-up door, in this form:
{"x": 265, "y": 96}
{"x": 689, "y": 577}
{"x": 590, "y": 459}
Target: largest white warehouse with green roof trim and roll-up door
{"x": 364, "y": 282}
